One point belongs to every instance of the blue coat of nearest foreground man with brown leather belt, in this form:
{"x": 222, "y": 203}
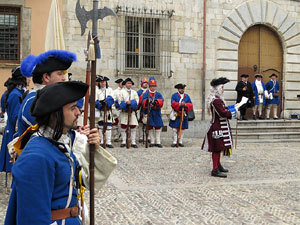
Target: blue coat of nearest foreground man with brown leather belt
{"x": 41, "y": 183}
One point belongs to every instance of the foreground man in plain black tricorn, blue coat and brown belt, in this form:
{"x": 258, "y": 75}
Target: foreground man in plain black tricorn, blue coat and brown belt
{"x": 46, "y": 173}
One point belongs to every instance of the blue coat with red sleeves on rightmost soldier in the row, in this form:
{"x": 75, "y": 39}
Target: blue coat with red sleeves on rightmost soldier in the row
{"x": 175, "y": 105}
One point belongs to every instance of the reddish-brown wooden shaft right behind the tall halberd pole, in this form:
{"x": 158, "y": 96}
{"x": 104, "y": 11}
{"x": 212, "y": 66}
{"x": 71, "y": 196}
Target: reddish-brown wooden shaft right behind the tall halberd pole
{"x": 87, "y": 81}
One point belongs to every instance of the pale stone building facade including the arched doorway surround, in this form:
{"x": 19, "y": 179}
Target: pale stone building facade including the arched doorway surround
{"x": 226, "y": 23}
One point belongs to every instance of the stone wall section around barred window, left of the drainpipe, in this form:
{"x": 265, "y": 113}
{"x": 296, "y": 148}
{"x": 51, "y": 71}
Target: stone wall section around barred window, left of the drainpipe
{"x": 185, "y": 63}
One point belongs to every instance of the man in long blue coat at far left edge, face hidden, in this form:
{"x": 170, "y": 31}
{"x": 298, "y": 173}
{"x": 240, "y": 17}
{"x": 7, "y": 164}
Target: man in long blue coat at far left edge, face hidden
{"x": 15, "y": 89}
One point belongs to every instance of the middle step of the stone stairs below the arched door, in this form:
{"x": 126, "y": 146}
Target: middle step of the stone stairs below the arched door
{"x": 262, "y": 129}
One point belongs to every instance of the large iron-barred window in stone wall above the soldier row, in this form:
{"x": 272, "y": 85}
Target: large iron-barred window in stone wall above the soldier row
{"x": 143, "y": 41}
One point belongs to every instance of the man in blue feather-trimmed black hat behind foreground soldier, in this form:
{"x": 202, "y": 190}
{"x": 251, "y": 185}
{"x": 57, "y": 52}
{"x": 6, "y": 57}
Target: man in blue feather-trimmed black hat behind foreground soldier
{"x": 48, "y": 68}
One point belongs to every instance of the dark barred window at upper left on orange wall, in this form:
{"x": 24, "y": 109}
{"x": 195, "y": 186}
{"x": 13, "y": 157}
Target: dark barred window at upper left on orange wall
{"x": 9, "y": 34}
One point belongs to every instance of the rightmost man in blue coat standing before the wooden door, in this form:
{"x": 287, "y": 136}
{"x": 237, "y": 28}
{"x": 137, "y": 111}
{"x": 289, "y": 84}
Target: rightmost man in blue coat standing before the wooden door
{"x": 273, "y": 101}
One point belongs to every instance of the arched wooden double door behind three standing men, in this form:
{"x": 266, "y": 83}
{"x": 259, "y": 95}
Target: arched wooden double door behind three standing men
{"x": 260, "y": 51}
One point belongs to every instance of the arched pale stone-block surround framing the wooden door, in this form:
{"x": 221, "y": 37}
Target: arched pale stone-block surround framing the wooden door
{"x": 270, "y": 14}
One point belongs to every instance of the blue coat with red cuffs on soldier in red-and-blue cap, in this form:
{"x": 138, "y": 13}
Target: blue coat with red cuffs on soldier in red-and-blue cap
{"x": 155, "y": 119}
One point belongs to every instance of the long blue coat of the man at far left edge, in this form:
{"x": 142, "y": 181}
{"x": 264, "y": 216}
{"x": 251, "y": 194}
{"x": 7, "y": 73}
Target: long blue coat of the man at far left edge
{"x": 13, "y": 105}
